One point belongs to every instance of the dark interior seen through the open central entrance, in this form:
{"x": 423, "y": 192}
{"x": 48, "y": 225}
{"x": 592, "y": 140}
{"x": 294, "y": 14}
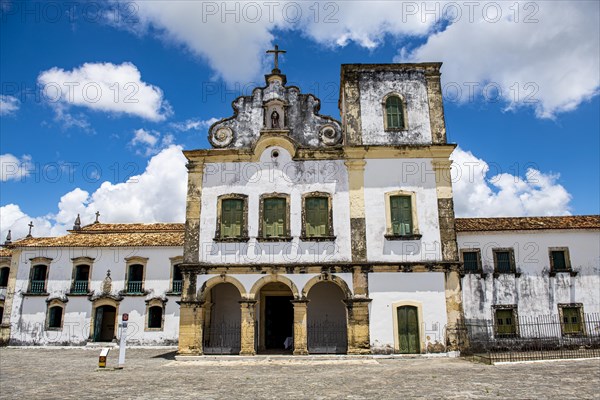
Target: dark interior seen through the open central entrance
{"x": 279, "y": 321}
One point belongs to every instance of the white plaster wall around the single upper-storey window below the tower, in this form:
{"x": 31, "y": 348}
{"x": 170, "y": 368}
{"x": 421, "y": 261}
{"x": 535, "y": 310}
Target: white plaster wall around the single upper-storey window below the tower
{"x": 414, "y": 175}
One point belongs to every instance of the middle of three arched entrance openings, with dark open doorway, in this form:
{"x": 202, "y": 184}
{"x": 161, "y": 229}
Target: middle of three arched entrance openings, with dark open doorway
{"x": 276, "y": 321}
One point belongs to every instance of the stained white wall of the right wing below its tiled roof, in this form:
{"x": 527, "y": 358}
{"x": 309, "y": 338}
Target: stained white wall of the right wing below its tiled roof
{"x": 535, "y": 292}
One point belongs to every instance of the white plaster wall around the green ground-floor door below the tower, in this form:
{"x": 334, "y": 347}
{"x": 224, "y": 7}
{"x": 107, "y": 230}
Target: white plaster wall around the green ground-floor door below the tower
{"x": 386, "y": 289}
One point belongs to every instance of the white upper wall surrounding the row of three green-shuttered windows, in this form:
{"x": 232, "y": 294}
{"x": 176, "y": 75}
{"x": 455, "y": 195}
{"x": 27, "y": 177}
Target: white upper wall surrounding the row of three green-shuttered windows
{"x": 280, "y": 175}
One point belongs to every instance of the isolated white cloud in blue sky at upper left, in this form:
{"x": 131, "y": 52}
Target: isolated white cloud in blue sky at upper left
{"x": 103, "y": 87}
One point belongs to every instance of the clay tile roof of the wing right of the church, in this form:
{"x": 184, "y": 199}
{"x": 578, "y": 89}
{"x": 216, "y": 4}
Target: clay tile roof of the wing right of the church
{"x": 527, "y": 223}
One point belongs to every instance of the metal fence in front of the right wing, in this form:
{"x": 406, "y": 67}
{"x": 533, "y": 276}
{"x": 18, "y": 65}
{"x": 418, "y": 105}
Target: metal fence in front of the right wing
{"x": 534, "y": 338}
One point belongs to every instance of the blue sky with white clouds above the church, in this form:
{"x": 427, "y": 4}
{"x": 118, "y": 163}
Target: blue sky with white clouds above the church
{"x": 533, "y": 70}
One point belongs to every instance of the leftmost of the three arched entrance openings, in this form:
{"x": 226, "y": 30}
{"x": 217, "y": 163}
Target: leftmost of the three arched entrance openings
{"x": 222, "y": 320}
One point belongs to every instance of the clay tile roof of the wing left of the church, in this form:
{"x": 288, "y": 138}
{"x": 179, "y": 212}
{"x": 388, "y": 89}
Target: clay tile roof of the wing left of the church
{"x": 113, "y": 235}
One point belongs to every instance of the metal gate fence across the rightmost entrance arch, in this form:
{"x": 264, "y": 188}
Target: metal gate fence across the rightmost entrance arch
{"x": 327, "y": 337}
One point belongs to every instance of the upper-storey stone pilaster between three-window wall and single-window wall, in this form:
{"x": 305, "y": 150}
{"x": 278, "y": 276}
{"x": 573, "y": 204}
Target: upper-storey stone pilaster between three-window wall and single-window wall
{"x": 358, "y": 230}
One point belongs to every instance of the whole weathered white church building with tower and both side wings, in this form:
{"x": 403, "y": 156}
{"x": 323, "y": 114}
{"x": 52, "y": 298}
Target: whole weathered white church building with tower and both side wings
{"x": 308, "y": 235}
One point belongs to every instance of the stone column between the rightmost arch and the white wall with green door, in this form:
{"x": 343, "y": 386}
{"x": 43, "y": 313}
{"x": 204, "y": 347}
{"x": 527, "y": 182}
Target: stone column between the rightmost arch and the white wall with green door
{"x": 359, "y": 341}
